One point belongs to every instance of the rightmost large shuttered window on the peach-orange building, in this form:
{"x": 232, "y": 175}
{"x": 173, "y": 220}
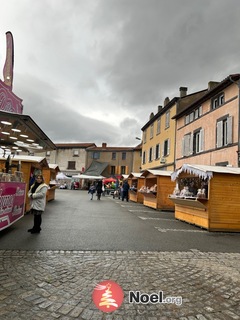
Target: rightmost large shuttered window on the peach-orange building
{"x": 224, "y": 132}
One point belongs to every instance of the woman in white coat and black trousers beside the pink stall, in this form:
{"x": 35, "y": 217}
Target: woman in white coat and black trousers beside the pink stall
{"x": 37, "y": 195}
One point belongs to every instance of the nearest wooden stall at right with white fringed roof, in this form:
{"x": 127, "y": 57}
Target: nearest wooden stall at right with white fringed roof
{"x": 216, "y": 207}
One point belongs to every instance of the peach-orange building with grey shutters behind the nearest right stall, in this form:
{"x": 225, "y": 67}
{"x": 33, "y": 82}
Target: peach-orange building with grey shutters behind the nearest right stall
{"x": 208, "y": 130}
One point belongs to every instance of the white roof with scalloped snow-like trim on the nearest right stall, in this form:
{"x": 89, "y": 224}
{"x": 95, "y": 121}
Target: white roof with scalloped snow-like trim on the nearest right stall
{"x": 203, "y": 171}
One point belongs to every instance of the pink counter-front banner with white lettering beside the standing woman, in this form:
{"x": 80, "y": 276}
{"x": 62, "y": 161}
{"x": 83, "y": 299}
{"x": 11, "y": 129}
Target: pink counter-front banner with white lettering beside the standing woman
{"x": 12, "y": 202}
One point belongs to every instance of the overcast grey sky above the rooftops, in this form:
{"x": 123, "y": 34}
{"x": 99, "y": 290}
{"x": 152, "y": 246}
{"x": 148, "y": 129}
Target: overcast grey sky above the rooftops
{"x": 94, "y": 70}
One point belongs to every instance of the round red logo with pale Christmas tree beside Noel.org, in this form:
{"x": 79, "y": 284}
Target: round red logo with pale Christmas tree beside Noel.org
{"x": 107, "y": 296}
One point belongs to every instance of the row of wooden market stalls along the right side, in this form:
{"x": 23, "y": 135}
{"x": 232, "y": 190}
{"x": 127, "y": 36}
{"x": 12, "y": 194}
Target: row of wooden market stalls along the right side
{"x": 206, "y": 196}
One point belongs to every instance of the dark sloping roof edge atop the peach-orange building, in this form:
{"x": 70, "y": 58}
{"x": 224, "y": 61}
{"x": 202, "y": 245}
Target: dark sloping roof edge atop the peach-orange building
{"x": 208, "y": 94}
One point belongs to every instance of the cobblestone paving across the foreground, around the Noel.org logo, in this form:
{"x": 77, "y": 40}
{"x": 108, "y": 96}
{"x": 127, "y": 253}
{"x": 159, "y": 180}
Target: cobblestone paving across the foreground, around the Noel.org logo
{"x": 59, "y": 284}
